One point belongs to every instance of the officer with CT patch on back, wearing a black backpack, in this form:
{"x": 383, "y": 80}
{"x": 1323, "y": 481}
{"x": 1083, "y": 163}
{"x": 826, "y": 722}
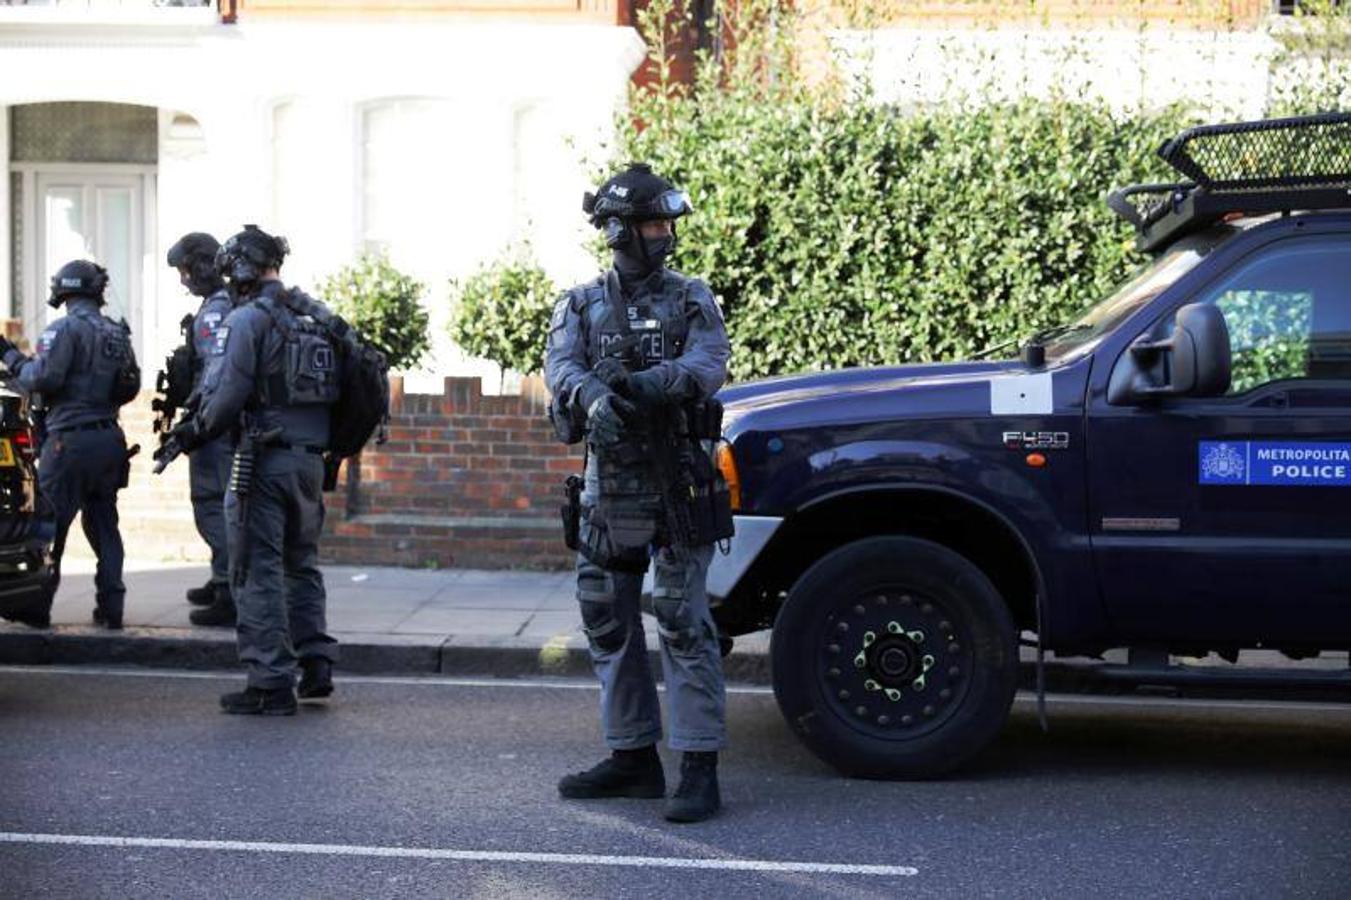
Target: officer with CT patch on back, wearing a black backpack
{"x": 272, "y": 379}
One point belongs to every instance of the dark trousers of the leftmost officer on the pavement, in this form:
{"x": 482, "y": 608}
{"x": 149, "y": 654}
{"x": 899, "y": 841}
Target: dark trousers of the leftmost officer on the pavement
{"x": 82, "y": 472}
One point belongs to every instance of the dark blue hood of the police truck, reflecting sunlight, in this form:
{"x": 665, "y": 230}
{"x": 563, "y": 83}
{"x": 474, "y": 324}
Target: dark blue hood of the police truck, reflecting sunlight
{"x": 857, "y": 394}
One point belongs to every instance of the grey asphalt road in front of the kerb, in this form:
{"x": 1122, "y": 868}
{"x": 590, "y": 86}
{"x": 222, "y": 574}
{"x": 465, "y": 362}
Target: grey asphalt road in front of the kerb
{"x": 447, "y": 789}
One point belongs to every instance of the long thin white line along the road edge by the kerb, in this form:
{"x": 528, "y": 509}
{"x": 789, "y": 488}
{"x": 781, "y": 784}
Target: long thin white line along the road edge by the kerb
{"x": 579, "y": 684}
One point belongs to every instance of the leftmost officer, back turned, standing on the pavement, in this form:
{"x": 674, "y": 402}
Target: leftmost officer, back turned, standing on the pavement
{"x": 84, "y": 371}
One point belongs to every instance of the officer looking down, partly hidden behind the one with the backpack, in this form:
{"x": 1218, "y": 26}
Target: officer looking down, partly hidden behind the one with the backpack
{"x": 209, "y": 467}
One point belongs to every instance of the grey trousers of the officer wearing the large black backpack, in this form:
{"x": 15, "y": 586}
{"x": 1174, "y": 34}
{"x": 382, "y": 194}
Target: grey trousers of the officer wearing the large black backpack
{"x": 279, "y": 590}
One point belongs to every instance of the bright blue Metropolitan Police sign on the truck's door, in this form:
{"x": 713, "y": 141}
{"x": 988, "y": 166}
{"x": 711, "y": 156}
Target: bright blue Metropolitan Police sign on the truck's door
{"x": 1273, "y": 463}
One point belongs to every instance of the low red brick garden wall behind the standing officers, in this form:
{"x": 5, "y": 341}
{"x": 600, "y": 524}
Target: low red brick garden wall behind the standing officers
{"x": 465, "y": 480}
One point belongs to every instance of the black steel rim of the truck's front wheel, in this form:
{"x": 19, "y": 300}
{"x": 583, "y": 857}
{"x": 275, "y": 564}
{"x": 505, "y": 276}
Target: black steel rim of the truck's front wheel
{"x": 894, "y": 663}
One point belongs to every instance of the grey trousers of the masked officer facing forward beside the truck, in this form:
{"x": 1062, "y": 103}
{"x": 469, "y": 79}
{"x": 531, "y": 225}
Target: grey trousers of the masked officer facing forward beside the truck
{"x": 692, "y": 664}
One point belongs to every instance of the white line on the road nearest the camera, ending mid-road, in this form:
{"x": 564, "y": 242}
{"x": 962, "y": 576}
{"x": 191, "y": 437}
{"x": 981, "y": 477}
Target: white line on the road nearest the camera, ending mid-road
{"x": 460, "y": 856}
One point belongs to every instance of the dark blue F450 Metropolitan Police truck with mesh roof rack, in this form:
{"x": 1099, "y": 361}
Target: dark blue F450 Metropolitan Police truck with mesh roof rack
{"x": 1168, "y": 475}
